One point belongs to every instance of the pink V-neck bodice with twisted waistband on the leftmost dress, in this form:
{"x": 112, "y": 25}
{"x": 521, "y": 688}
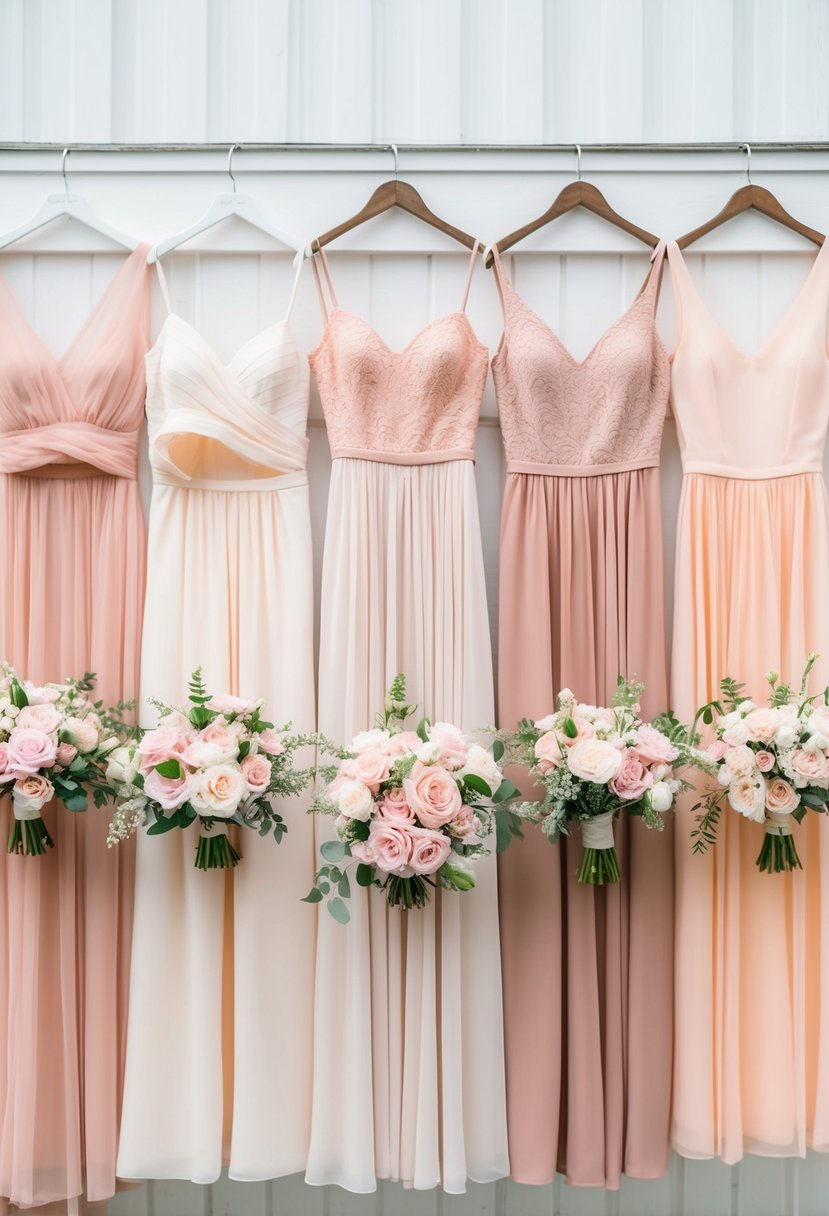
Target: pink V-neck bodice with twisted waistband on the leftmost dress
{"x": 78, "y": 415}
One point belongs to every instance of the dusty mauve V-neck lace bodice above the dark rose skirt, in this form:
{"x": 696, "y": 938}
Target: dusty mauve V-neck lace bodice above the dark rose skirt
{"x": 600, "y": 415}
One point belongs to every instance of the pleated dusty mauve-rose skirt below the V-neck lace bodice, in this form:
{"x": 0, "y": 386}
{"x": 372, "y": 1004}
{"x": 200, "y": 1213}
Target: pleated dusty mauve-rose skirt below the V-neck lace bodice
{"x": 586, "y": 971}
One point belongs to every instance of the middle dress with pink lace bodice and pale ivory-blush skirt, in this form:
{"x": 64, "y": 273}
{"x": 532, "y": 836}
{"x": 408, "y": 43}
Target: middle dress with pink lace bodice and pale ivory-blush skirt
{"x": 409, "y": 1057}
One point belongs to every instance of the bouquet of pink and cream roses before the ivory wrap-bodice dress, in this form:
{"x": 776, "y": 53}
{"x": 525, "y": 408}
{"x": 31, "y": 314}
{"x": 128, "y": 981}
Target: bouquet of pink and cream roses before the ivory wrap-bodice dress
{"x": 217, "y": 763}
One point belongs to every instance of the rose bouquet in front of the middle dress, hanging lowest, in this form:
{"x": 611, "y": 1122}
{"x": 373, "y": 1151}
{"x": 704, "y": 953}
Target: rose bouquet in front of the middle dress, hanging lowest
{"x": 414, "y": 810}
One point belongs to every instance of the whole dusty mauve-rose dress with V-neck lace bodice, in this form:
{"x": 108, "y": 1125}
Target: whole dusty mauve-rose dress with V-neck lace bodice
{"x": 586, "y": 971}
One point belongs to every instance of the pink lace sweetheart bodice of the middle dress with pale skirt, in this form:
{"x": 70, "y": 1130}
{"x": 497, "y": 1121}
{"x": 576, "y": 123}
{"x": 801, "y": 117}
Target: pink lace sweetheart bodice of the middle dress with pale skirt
{"x": 415, "y": 407}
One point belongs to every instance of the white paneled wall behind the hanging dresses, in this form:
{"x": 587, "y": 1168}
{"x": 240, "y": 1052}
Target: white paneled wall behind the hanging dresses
{"x": 425, "y": 72}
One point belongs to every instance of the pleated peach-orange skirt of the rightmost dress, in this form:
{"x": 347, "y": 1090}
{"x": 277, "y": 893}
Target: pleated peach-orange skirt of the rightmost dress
{"x": 752, "y": 1071}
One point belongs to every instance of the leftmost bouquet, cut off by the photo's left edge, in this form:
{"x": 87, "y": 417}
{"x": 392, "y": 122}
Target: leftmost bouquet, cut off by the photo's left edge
{"x": 54, "y": 741}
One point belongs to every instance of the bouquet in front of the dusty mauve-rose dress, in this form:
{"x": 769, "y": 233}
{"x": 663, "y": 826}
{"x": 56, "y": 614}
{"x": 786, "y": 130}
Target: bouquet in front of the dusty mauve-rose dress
{"x": 596, "y": 763}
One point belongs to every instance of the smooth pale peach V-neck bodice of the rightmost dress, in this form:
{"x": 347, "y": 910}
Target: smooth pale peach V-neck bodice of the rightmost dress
{"x": 752, "y": 418}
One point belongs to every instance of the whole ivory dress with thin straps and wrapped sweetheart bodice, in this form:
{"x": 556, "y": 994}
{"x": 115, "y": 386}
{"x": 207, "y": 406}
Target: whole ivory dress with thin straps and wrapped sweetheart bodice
{"x": 219, "y": 1044}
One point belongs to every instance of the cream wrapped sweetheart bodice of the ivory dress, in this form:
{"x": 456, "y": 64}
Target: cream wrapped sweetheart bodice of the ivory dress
{"x": 227, "y": 426}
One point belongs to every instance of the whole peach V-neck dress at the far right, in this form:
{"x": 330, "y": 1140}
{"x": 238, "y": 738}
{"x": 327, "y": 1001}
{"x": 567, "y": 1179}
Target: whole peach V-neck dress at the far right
{"x": 752, "y": 1066}
